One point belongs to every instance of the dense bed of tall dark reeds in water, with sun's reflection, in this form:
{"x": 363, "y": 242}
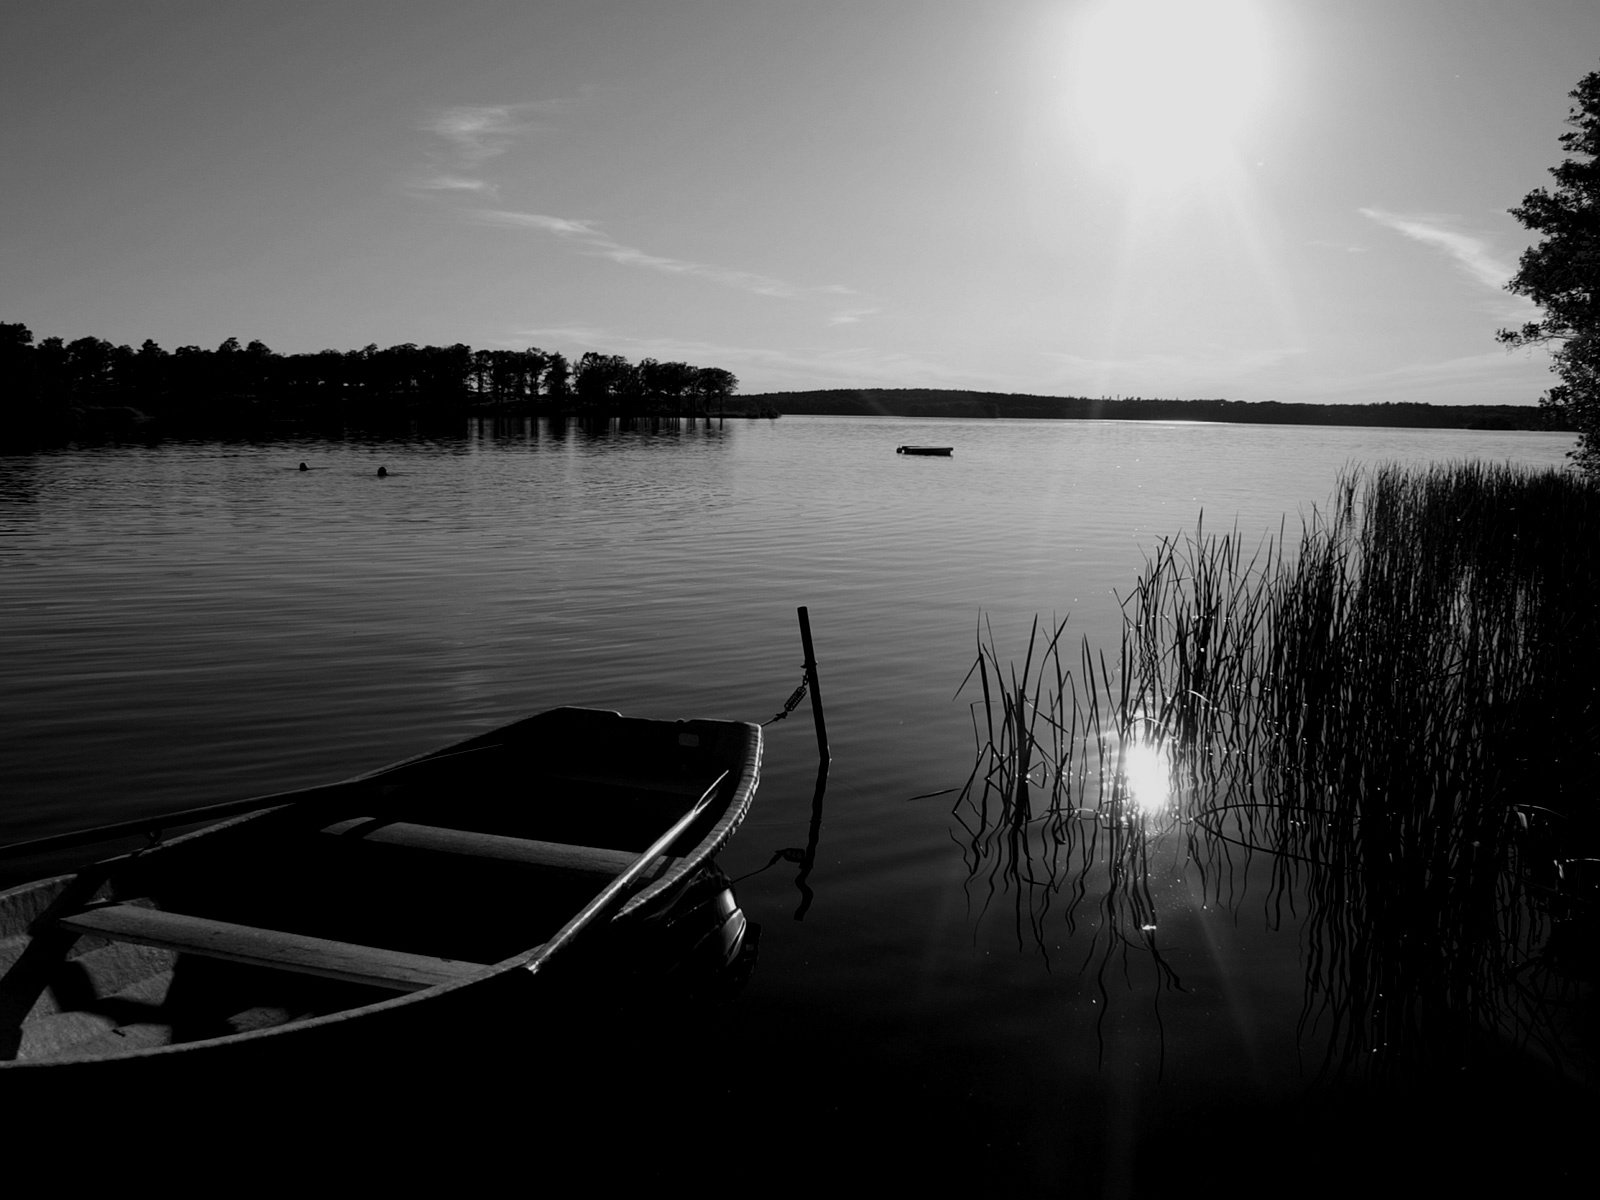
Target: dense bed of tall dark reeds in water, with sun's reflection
{"x": 1396, "y": 718}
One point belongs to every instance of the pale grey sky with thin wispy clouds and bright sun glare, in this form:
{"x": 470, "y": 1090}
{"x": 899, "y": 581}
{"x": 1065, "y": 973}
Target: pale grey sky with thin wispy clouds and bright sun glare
{"x": 1298, "y": 201}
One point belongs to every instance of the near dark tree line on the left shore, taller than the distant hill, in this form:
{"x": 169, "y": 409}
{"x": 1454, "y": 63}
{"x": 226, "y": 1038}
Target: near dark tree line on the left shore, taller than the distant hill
{"x": 57, "y": 390}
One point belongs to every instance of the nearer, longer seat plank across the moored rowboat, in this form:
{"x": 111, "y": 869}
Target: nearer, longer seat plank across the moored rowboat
{"x": 348, "y": 962}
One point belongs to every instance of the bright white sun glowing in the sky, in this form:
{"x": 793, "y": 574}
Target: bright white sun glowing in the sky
{"x": 1164, "y": 87}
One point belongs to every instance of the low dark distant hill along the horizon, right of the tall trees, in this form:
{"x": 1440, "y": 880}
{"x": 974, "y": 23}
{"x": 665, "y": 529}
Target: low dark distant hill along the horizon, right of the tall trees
{"x": 1004, "y": 406}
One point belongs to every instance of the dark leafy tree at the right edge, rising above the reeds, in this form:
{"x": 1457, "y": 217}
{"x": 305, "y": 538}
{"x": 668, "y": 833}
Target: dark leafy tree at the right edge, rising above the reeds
{"x": 1562, "y": 274}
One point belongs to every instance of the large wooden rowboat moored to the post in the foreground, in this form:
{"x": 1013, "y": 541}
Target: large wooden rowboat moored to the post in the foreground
{"x": 481, "y": 873}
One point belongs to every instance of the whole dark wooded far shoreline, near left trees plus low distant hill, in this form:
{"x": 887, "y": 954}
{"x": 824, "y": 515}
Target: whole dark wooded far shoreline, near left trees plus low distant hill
{"x": 57, "y": 391}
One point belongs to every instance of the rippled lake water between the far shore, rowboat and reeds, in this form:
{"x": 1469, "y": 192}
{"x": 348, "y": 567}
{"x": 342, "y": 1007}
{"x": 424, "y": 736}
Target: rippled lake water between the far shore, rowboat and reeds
{"x": 202, "y": 622}
